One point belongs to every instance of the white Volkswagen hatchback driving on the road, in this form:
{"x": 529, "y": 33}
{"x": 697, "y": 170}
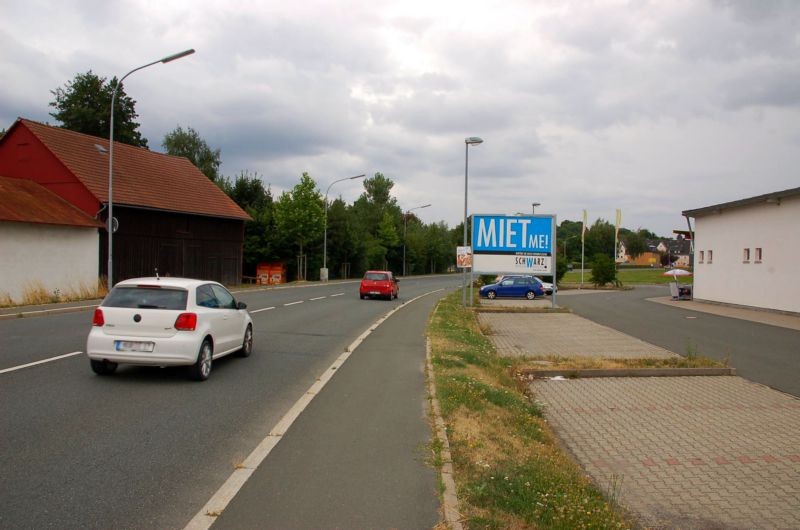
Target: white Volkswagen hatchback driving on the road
{"x": 168, "y": 322}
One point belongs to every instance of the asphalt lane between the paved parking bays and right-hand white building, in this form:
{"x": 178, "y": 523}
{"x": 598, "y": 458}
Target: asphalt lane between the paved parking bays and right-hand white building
{"x": 762, "y": 353}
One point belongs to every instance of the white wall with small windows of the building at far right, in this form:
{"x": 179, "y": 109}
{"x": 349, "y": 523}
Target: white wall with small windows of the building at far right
{"x": 771, "y": 284}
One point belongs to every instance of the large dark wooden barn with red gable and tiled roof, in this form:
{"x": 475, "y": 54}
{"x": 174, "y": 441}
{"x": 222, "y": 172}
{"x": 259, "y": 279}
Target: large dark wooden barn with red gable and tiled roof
{"x": 170, "y": 216}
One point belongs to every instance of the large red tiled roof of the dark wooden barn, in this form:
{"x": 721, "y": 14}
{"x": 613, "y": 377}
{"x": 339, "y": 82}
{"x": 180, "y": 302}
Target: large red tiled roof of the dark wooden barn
{"x": 142, "y": 178}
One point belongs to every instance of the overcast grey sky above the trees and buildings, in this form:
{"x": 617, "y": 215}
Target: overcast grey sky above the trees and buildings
{"x": 652, "y": 107}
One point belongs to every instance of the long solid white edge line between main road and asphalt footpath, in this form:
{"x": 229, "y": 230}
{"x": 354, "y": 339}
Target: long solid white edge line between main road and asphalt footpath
{"x": 225, "y": 494}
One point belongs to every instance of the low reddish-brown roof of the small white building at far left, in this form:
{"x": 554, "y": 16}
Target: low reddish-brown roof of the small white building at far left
{"x": 25, "y": 201}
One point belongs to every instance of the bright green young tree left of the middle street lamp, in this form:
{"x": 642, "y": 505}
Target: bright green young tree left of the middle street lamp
{"x": 299, "y": 215}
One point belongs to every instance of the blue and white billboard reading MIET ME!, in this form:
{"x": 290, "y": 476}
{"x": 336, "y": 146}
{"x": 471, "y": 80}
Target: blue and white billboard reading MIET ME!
{"x": 513, "y": 244}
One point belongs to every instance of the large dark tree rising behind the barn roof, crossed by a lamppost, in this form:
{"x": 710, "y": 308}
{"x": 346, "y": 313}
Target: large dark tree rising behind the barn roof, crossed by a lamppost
{"x": 83, "y": 105}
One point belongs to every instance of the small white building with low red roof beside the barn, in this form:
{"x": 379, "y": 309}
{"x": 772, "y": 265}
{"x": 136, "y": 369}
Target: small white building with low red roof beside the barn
{"x": 47, "y": 246}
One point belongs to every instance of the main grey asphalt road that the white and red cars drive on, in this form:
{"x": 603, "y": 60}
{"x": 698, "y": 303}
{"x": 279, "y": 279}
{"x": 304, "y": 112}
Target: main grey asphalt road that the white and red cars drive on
{"x": 146, "y": 447}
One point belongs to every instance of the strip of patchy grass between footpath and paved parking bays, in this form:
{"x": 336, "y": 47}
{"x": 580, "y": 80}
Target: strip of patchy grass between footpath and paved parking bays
{"x": 509, "y": 470}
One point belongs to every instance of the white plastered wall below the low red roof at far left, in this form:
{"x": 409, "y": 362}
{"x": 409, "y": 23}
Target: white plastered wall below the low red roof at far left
{"x": 55, "y": 257}
